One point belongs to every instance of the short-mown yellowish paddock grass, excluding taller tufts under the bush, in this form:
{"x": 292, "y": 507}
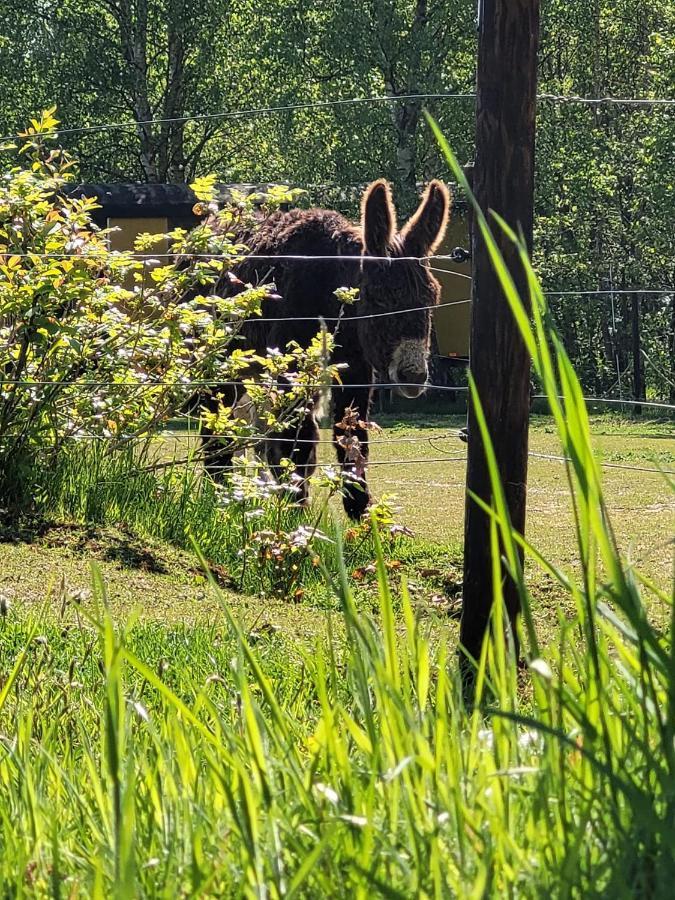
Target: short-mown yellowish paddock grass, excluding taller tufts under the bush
{"x": 167, "y": 584}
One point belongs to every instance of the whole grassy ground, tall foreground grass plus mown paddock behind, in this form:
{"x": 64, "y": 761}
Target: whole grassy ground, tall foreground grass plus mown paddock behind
{"x": 227, "y": 745}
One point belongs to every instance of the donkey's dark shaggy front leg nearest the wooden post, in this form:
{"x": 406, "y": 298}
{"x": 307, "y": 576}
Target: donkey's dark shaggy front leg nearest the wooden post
{"x": 352, "y": 403}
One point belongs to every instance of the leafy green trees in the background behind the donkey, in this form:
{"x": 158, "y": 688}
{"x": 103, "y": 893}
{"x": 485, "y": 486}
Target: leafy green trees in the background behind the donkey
{"x": 605, "y": 176}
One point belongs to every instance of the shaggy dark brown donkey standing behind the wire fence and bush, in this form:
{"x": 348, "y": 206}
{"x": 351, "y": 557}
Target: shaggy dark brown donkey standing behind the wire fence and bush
{"x": 387, "y": 331}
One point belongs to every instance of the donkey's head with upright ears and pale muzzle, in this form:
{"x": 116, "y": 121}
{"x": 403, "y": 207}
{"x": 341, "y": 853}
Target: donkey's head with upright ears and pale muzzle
{"x": 397, "y": 346}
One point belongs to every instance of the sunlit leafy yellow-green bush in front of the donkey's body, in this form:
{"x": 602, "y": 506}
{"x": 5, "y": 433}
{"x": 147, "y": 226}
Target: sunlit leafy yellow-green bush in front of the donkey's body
{"x": 85, "y": 355}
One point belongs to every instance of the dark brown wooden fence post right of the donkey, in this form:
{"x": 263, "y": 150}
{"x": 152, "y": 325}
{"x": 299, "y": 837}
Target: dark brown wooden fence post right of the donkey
{"x": 503, "y": 181}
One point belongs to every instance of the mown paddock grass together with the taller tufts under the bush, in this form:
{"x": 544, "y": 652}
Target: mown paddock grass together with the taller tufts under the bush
{"x": 142, "y": 546}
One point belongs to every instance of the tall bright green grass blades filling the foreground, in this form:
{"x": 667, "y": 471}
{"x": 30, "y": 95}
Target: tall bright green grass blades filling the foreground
{"x": 211, "y": 760}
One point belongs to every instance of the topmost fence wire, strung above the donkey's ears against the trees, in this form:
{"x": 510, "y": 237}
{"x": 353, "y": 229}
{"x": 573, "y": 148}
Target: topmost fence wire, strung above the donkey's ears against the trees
{"x": 637, "y": 102}
